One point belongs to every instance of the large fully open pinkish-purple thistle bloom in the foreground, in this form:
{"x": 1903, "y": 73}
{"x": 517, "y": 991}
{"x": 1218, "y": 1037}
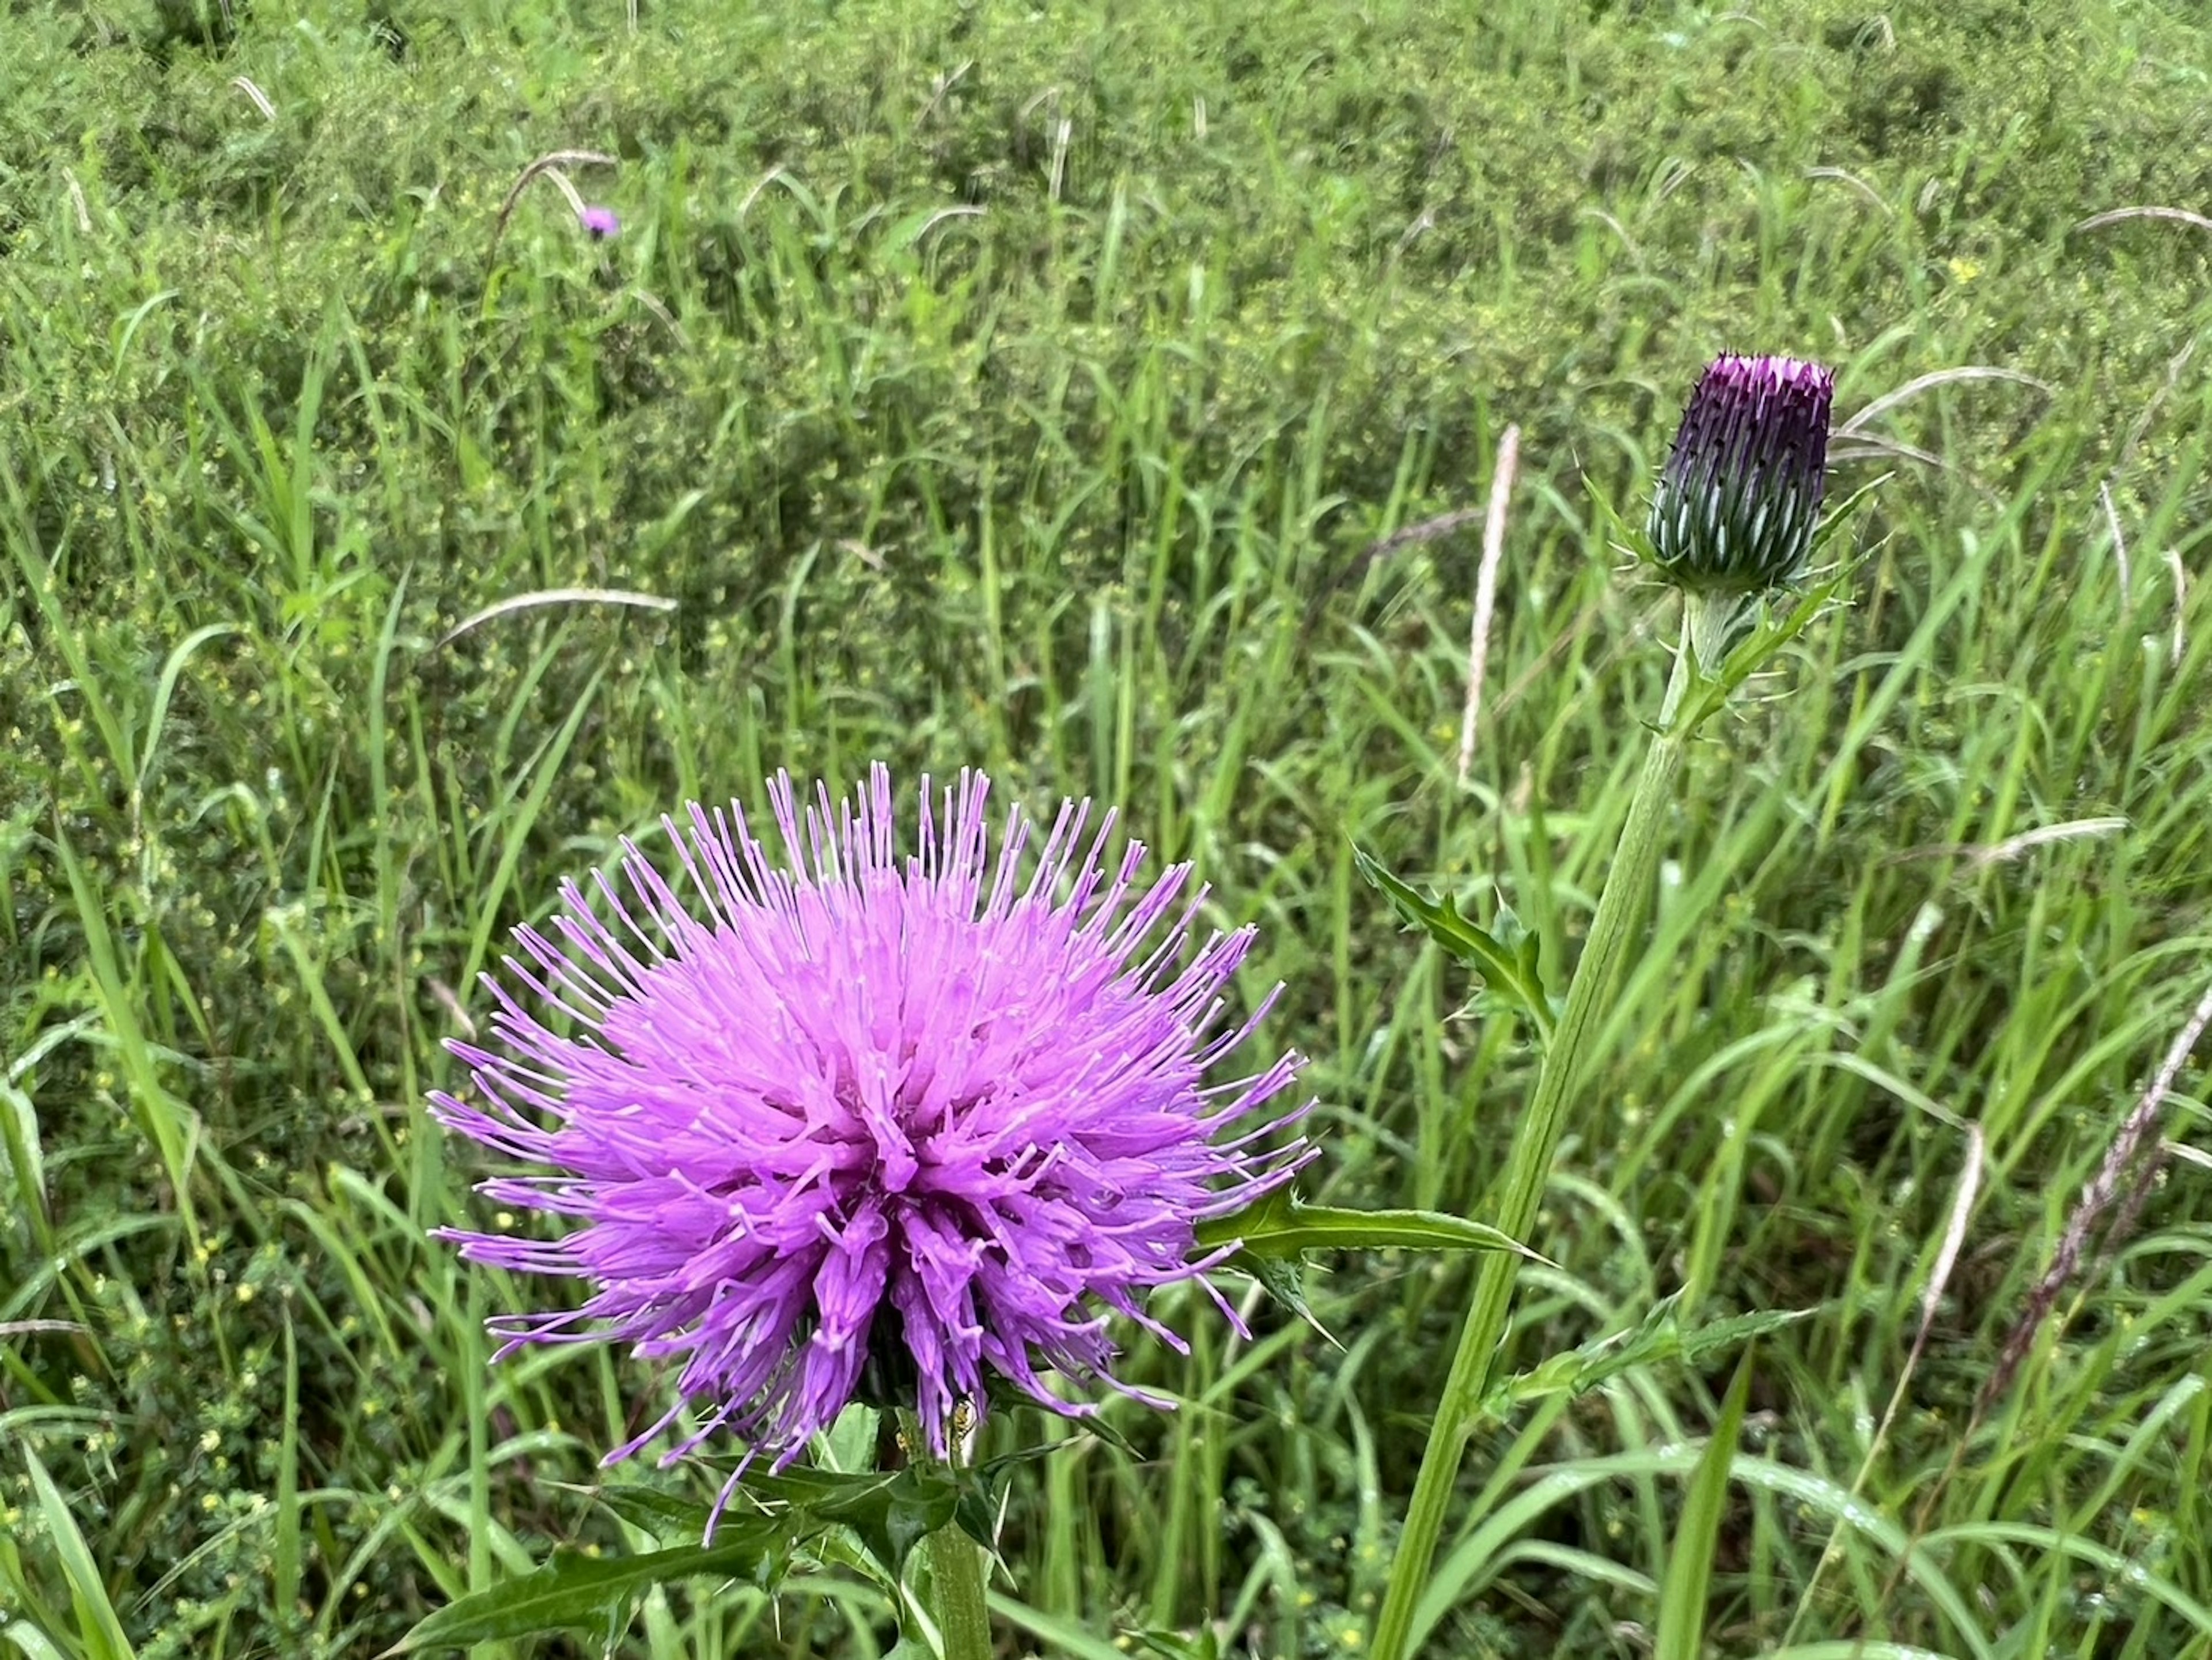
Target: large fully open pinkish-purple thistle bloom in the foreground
{"x": 870, "y": 1119}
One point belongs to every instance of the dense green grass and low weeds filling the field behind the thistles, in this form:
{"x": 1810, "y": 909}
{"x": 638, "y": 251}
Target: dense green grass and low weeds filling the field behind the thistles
{"x": 1025, "y": 388}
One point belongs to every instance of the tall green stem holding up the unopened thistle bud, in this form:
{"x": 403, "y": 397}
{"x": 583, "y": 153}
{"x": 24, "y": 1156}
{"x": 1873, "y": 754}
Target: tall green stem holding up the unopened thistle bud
{"x": 1623, "y": 911}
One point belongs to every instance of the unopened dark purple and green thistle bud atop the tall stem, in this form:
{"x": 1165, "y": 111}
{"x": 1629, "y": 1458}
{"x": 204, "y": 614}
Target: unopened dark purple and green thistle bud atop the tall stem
{"x": 1740, "y": 497}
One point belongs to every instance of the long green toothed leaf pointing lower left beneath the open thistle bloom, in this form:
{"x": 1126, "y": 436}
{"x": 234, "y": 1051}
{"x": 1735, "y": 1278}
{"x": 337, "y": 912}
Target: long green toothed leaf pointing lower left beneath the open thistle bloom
{"x": 576, "y": 1592}
